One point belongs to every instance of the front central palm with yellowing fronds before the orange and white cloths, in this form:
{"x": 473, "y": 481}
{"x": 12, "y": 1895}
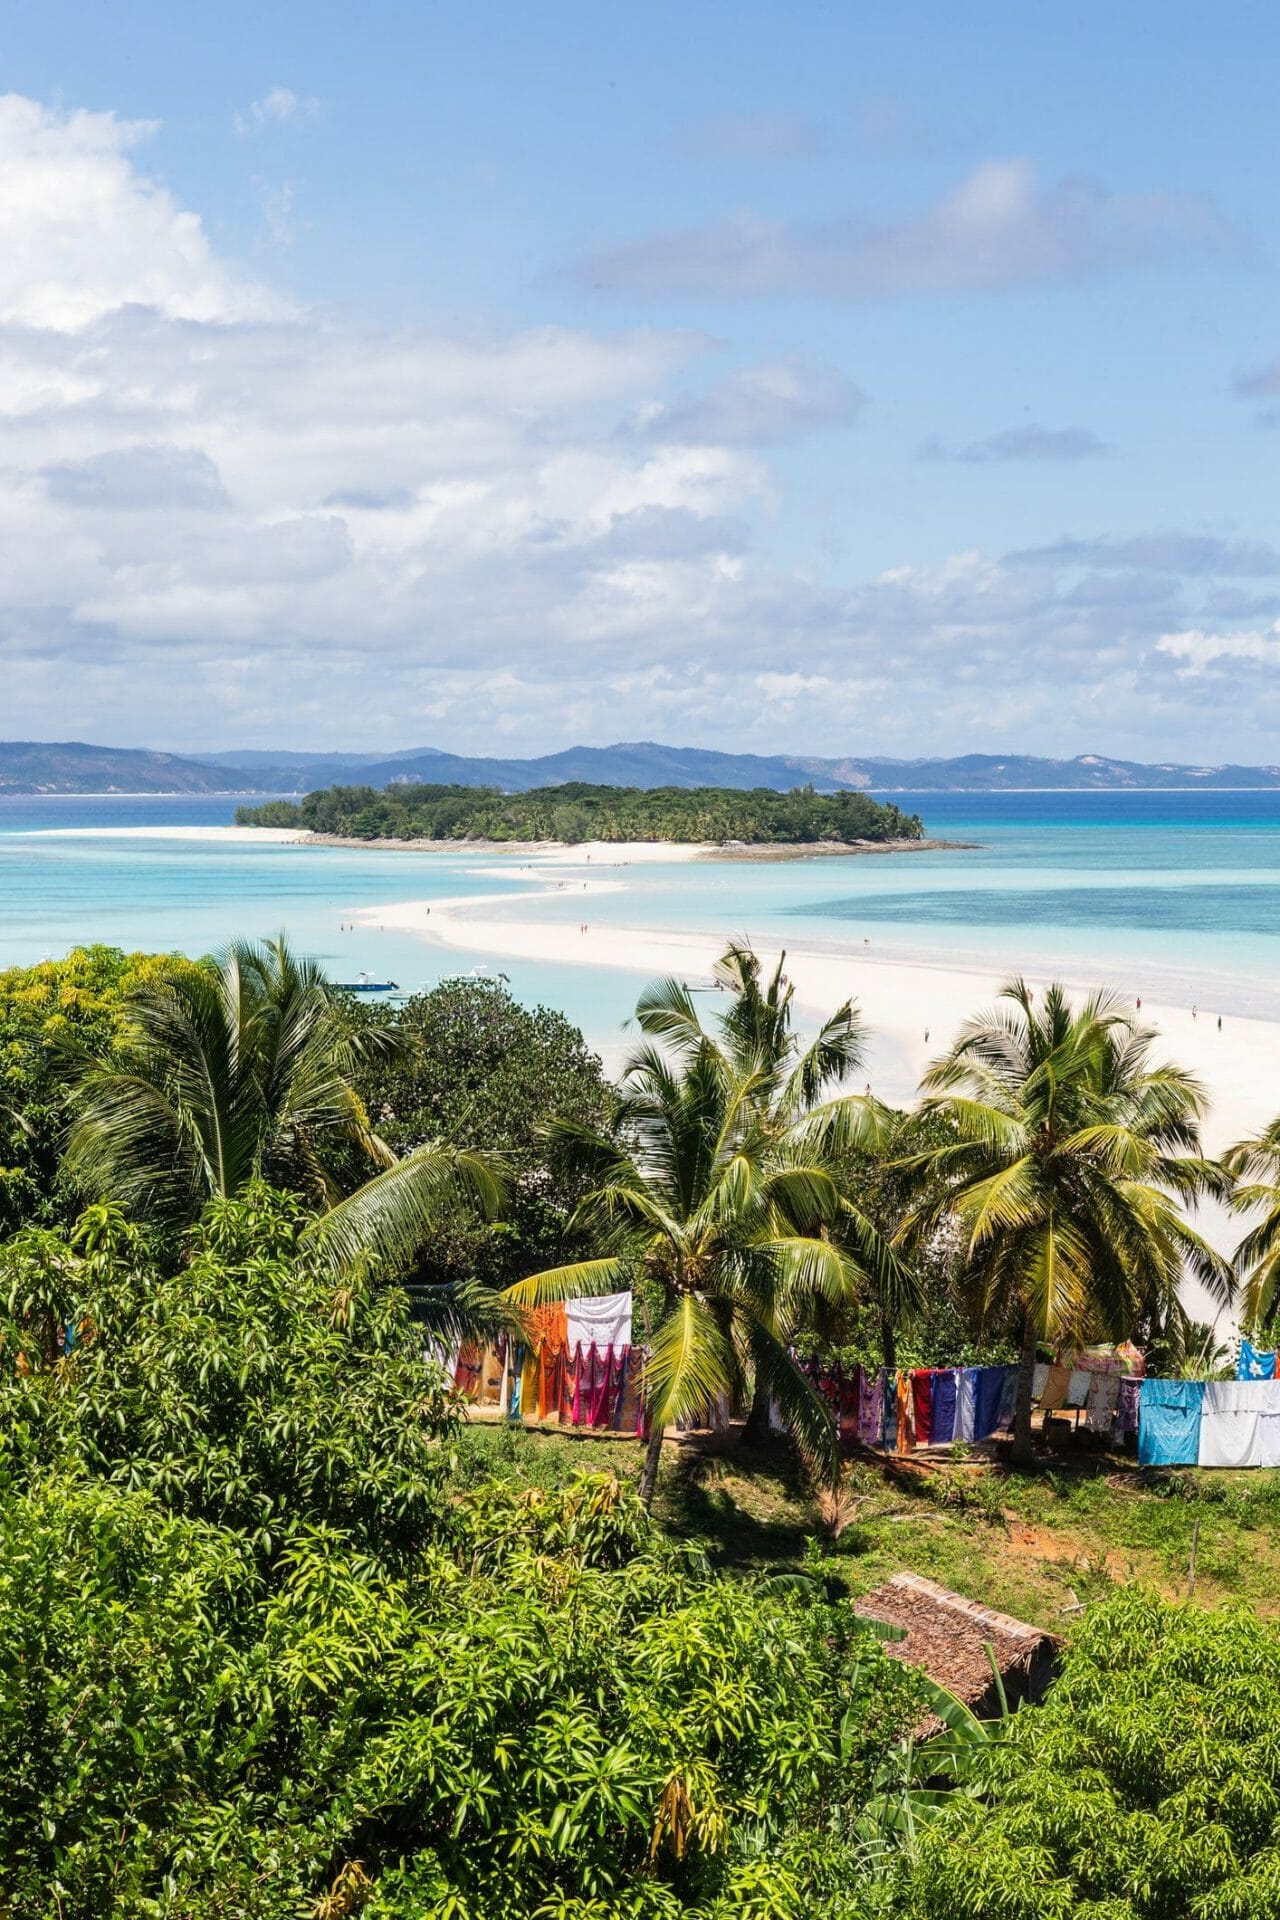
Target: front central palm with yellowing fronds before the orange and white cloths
{"x": 698, "y": 1203}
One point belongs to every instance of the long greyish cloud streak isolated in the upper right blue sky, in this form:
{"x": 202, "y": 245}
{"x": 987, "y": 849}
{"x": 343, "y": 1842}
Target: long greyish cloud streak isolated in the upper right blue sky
{"x": 999, "y": 229}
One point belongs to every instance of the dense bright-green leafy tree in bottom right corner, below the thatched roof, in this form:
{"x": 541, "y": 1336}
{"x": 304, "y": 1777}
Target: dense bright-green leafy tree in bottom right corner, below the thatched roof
{"x": 1147, "y": 1788}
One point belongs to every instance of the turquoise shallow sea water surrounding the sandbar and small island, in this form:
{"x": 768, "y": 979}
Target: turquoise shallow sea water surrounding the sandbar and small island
{"x": 1168, "y": 896}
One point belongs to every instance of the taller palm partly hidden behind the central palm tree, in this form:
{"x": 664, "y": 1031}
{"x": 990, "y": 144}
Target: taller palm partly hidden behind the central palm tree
{"x": 799, "y": 1107}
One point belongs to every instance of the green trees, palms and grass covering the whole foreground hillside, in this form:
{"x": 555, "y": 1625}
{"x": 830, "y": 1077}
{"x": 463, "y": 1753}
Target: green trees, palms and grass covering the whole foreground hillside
{"x": 285, "y": 1639}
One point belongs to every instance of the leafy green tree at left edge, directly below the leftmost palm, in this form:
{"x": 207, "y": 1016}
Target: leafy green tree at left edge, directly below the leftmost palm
{"x": 241, "y": 1385}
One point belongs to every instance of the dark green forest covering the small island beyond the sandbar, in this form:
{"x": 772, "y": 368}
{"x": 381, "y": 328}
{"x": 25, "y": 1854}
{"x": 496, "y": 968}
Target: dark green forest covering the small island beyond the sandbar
{"x": 581, "y": 813}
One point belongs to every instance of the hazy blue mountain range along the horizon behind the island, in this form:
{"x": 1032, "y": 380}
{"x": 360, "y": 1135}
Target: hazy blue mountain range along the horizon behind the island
{"x": 72, "y": 767}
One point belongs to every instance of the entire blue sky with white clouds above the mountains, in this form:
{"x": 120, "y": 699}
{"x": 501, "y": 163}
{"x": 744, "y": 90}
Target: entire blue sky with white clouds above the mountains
{"x": 874, "y": 381}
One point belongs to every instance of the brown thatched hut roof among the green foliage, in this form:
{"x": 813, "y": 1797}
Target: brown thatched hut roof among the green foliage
{"x": 947, "y": 1635}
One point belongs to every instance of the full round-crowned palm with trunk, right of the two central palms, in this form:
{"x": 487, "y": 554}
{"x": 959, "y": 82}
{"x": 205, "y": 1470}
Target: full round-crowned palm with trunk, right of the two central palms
{"x": 1068, "y": 1170}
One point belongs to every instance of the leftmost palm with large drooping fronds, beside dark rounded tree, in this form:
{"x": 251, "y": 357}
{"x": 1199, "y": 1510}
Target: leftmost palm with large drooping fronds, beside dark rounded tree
{"x": 245, "y": 1072}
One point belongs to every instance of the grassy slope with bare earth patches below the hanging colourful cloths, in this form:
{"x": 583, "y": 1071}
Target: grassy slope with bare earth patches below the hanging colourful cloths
{"x": 1033, "y": 1547}
